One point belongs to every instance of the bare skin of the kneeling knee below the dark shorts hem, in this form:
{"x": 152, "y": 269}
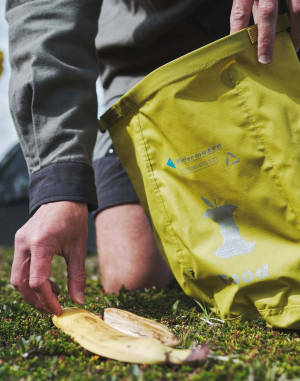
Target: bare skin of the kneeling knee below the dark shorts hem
{"x": 127, "y": 252}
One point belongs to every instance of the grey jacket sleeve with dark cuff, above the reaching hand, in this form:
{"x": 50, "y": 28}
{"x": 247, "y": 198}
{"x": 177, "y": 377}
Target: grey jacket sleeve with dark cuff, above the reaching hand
{"x": 52, "y": 95}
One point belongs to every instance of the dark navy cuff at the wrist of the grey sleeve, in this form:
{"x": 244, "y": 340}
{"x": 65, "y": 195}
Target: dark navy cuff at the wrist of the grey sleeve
{"x": 63, "y": 181}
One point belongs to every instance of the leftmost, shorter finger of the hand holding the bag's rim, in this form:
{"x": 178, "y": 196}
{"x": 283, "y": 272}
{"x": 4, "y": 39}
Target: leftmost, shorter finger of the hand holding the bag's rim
{"x": 240, "y": 14}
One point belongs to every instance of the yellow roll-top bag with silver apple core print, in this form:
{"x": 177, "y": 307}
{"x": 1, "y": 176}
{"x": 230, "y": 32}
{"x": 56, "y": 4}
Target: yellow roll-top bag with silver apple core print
{"x": 211, "y": 142}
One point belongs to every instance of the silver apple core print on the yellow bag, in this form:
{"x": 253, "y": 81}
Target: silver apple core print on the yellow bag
{"x": 233, "y": 244}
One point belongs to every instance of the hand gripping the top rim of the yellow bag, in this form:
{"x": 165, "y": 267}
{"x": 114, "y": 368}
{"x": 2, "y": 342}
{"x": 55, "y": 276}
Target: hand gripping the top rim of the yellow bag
{"x": 265, "y": 15}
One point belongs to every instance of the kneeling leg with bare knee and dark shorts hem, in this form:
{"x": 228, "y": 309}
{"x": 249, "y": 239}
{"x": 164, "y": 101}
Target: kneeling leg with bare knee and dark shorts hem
{"x": 127, "y": 253}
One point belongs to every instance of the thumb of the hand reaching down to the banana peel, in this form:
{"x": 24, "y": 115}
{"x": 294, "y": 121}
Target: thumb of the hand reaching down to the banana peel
{"x": 76, "y": 275}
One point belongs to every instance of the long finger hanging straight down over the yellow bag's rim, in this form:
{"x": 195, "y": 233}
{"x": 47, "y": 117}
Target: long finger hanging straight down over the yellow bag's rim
{"x": 267, "y": 20}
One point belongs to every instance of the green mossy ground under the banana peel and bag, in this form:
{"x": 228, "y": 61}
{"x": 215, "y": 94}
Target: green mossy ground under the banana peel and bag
{"x": 31, "y": 348}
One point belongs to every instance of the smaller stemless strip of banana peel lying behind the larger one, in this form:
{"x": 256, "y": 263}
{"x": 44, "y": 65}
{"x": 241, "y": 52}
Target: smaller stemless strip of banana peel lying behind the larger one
{"x": 139, "y": 326}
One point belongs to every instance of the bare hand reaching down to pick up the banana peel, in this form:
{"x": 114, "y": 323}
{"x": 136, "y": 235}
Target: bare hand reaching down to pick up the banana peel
{"x": 56, "y": 228}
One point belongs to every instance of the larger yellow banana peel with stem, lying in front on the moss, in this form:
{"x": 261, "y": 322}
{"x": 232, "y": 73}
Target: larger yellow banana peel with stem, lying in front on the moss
{"x": 96, "y": 336}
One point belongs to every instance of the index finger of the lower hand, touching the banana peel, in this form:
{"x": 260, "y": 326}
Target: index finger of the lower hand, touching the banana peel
{"x": 40, "y": 267}
